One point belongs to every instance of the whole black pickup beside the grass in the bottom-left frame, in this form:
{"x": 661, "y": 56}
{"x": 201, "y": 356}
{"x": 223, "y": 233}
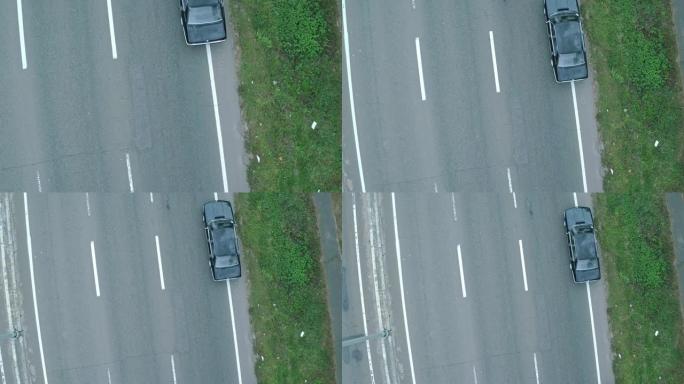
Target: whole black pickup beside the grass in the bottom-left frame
{"x": 219, "y": 224}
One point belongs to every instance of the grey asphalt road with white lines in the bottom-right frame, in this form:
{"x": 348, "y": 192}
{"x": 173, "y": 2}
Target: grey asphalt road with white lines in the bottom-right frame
{"x": 470, "y": 320}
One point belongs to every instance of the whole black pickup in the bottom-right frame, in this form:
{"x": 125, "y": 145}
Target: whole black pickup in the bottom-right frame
{"x": 579, "y": 226}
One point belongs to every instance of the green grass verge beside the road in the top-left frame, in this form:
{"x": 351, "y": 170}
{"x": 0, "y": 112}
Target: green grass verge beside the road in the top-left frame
{"x": 290, "y": 77}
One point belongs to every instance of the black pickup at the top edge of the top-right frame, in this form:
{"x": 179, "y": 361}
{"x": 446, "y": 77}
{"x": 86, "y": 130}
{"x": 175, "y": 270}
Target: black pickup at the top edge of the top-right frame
{"x": 568, "y": 56}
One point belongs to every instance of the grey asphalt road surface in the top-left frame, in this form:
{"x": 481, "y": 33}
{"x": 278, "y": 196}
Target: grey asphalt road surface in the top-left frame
{"x": 76, "y": 119}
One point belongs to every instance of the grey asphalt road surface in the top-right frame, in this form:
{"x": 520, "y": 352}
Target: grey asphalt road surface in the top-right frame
{"x": 465, "y": 135}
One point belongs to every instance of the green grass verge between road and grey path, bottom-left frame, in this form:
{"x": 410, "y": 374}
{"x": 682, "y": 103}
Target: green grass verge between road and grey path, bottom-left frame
{"x": 287, "y": 293}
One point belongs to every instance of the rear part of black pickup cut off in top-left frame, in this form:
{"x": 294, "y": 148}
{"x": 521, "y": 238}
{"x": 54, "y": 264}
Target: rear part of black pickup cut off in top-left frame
{"x": 203, "y": 21}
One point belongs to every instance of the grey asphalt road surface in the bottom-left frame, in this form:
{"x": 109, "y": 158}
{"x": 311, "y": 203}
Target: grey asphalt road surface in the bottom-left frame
{"x": 141, "y": 327}
